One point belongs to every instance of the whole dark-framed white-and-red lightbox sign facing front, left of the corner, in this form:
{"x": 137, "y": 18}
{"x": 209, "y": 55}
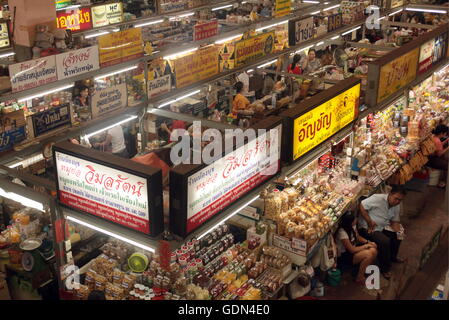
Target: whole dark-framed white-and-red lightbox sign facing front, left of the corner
{"x": 117, "y": 190}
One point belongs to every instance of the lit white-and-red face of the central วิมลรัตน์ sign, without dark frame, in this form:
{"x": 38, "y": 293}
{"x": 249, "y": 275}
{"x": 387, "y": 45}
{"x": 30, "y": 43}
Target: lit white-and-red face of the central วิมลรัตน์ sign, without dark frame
{"x": 220, "y": 184}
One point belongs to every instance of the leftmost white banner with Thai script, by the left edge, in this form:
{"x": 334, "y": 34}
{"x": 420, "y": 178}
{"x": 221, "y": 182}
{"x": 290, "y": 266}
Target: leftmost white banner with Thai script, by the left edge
{"x": 33, "y": 73}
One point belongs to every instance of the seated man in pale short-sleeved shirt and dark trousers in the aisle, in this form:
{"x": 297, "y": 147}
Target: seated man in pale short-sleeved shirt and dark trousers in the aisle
{"x": 379, "y": 212}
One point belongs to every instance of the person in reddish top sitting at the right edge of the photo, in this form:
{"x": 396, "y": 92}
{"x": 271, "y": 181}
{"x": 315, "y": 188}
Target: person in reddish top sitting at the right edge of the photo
{"x": 438, "y": 160}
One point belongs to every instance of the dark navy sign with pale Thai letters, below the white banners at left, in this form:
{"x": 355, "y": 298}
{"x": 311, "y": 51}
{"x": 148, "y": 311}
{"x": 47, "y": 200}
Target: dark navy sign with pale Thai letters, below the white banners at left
{"x": 53, "y": 118}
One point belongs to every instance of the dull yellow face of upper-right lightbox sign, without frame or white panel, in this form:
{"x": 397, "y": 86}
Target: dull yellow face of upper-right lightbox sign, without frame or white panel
{"x": 396, "y": 74}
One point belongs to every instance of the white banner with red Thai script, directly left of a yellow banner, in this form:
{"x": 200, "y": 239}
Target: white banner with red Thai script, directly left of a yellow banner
{"x": 77, "y": 62}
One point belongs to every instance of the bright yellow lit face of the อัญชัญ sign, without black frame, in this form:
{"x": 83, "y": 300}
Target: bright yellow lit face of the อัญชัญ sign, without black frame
{"x": 316, "y": 126}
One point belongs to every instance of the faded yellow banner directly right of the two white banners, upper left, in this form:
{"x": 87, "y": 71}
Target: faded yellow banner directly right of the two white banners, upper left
{"x": 120, "y": 46}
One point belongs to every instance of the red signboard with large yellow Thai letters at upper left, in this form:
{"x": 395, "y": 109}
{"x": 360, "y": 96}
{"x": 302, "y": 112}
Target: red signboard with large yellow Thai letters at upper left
{"x": 78, "y": 19}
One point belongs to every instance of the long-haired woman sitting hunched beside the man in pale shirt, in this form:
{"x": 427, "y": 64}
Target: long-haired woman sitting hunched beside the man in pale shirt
{"x": 354, "y": 249}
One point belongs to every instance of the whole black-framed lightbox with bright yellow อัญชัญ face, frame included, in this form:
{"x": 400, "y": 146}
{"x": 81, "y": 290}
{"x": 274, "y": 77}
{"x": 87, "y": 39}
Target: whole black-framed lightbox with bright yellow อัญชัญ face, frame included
{"x": 315, "y": 122}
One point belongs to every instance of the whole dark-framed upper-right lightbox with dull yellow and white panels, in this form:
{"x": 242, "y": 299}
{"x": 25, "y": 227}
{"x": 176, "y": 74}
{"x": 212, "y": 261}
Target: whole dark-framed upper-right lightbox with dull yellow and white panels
{"x": 397, "y": 69}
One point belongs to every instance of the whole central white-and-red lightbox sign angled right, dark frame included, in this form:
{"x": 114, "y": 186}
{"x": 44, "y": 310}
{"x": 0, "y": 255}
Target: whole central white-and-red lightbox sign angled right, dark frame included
{"x": 200, "y": 192}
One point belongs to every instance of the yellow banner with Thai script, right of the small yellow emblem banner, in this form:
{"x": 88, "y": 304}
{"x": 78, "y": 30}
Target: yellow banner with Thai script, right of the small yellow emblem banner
{"x": 253, "y": 48}
